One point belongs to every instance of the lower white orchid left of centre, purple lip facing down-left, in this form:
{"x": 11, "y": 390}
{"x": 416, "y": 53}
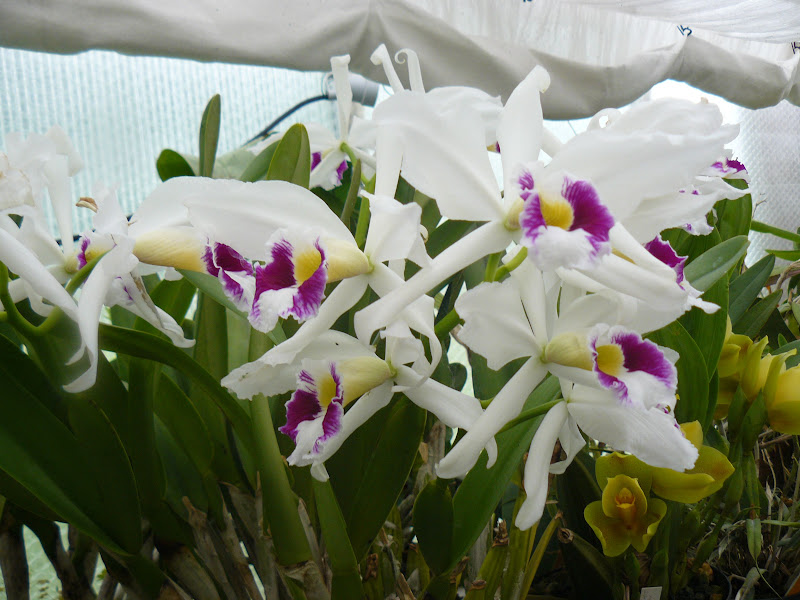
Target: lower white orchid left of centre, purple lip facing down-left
{"x": 335, "y": 370}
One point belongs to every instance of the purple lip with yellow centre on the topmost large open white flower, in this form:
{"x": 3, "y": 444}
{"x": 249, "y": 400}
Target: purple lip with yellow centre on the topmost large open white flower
{"x": 569, "y": 228}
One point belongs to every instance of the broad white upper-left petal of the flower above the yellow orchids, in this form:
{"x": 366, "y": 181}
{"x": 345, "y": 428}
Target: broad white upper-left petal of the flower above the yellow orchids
{"x": 495, "y": 324}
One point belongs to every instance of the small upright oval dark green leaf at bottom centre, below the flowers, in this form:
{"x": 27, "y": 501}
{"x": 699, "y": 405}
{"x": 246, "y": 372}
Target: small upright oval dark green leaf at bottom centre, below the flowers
{"x": 433, "y": 524}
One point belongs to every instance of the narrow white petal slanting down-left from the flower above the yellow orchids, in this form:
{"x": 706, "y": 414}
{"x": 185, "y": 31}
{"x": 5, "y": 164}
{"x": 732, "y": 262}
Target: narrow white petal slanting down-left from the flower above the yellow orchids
{"x": 505, "y": 406}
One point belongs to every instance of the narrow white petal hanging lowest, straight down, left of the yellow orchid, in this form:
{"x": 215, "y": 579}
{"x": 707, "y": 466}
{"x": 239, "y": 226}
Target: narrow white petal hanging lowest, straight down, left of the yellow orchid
{"x": 537, "y": 466}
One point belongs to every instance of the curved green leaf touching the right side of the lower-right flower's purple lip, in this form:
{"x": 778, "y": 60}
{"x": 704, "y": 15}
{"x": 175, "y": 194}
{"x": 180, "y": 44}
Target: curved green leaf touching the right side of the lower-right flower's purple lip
{"x": 692, "y": 372}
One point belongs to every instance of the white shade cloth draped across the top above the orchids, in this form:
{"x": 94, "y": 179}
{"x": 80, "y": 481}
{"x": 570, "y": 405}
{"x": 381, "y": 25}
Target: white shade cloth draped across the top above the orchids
{"x": 599, "y": 52}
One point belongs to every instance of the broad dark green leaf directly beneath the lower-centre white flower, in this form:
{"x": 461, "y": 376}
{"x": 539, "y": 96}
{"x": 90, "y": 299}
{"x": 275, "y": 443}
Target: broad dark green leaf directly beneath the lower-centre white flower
{"x": 369, "y": 470}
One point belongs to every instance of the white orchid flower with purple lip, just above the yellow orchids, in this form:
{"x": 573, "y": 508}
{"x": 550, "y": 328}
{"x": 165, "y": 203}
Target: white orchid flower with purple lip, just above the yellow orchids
{"x": 587, "y": 341}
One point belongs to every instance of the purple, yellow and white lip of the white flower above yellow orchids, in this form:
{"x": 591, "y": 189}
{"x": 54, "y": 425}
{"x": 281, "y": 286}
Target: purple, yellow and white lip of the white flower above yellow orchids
{"x": 634, "y": 369}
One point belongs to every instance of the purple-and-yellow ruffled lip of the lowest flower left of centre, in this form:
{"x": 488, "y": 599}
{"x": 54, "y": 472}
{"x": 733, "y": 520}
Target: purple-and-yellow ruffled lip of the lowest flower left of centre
{"x": 318, "y": 398}
